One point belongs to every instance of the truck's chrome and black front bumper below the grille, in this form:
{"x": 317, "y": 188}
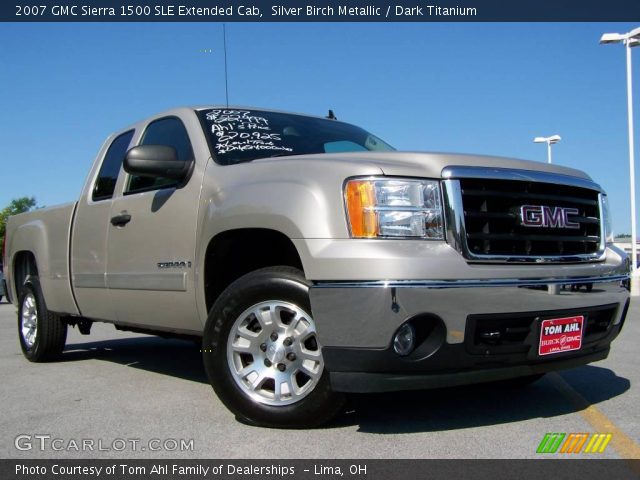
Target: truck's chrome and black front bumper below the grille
{"x": 356, "y": 322}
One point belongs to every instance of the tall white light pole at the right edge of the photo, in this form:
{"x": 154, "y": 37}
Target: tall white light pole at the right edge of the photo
{"x": 630, "y": 39}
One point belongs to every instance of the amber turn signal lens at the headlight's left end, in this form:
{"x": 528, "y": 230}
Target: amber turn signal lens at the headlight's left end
{"x": 361, "y": 200}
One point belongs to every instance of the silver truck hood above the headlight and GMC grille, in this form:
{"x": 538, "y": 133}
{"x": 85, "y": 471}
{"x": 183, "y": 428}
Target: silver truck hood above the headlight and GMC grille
{"x": 423, "y": 164}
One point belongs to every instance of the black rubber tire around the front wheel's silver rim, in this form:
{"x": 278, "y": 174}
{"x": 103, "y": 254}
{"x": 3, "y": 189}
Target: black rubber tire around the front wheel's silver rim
{"x": 283, "y": 284}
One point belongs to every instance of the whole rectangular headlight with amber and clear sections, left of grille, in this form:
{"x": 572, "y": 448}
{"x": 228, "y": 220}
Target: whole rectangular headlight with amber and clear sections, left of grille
{"x": 394, "y": 208}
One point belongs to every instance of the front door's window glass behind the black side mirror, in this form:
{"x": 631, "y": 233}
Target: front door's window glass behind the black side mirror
{"x": 168, "y": 131}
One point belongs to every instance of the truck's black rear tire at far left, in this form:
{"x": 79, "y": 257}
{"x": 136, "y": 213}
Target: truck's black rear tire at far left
{"x": 51, "y": 331}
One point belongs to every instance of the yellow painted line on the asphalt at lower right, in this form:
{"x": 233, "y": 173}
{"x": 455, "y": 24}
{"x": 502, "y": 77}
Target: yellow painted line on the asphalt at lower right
{"x": 624, "y": 445}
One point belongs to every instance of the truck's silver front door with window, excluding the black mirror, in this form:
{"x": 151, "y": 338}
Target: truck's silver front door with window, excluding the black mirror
{"x": 152, "y": 241}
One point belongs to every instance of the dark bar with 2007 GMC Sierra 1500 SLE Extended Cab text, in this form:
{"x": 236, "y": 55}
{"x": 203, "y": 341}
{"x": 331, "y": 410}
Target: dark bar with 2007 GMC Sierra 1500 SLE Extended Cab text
{"x": 320, "y": 11}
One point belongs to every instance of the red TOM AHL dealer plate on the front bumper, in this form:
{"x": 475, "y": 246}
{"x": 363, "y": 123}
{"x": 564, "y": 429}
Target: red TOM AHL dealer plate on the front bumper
{"x": 559, "y": 335}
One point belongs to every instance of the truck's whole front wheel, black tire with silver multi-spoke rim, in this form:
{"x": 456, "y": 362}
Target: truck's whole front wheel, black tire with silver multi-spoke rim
{"x": 262, "y": 354}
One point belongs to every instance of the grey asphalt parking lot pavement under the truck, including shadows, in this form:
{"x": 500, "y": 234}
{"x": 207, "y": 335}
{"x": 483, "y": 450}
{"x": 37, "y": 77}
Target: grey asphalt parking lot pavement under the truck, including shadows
{"x": 118, "y": 386}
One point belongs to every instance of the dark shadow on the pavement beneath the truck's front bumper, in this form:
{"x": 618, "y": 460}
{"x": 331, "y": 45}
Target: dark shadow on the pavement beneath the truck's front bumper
{"x": 483, "y": 404}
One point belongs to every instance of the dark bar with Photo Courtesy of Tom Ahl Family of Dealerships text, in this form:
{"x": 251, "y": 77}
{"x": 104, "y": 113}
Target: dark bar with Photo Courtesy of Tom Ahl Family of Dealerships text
{"x": 358, "y": 469}
